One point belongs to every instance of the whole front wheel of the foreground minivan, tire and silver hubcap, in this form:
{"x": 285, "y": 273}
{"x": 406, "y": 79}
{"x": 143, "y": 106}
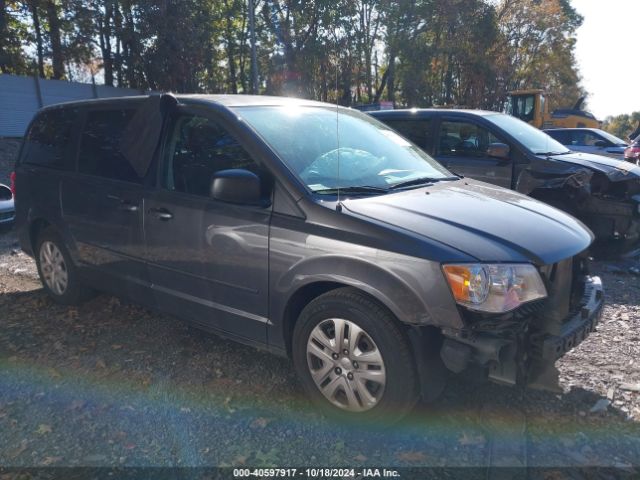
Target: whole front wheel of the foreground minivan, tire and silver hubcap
{"x": 353, "y": 359}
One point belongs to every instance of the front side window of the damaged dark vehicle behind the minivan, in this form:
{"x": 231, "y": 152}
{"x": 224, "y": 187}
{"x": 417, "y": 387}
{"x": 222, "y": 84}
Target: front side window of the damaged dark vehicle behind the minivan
{"x": 464, "y": 139}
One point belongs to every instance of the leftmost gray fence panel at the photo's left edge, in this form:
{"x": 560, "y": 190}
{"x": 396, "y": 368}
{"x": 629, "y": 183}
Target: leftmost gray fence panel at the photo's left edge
{"x": 18, "y": 103}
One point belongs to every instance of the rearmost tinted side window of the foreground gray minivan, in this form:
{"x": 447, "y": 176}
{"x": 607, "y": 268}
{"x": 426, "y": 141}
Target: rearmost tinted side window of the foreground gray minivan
{"x": 48, "y": 140}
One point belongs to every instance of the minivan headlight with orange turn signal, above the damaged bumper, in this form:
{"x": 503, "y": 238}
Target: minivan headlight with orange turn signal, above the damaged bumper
{"x": 495, "y": 288}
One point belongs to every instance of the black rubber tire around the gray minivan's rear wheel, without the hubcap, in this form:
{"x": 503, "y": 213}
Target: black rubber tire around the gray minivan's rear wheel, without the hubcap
{"x": 74, "y": 292}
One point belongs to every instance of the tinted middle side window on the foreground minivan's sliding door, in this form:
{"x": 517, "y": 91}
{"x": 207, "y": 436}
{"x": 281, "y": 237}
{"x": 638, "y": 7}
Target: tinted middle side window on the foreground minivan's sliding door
{"x": 100, "y": 152}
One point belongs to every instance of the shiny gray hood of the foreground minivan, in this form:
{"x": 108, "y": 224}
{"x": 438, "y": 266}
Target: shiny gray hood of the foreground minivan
{"x": 486, "y": 222}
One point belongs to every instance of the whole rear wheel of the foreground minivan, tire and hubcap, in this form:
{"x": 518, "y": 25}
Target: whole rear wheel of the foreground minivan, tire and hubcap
{"x": 56, "y": 269}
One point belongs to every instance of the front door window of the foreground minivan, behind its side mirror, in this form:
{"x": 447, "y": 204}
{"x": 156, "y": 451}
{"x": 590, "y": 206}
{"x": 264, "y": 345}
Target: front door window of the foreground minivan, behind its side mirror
{"x": 198, "y": 148}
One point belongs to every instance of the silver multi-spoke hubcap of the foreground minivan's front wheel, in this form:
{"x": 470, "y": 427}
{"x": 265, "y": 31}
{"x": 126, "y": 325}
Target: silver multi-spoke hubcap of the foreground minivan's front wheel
{"x": 346, "y": 365}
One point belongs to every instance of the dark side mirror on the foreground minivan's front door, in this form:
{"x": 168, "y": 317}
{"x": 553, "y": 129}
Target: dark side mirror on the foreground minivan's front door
{"x": 236, "y": 186}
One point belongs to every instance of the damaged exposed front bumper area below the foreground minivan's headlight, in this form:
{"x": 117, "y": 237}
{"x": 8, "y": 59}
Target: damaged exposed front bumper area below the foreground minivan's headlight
{"x": 527, "y": 354}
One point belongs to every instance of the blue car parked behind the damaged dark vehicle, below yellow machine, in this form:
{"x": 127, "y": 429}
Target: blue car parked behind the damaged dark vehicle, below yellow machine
{"x": 590, "y": 140}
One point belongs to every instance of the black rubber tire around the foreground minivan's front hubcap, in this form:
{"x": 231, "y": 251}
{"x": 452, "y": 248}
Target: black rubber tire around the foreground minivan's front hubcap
{"x": 400, "y": 391}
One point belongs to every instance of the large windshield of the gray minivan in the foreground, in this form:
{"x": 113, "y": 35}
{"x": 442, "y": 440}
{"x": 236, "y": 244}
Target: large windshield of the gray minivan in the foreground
{"x": 344, "y": 149}
